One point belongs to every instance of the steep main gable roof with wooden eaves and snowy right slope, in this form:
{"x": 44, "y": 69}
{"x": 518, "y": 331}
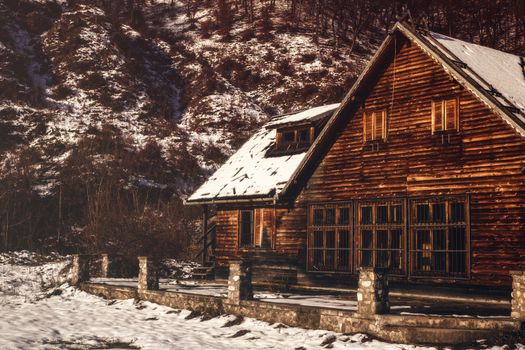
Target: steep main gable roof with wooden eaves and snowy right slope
{"x": 495, "y": 77}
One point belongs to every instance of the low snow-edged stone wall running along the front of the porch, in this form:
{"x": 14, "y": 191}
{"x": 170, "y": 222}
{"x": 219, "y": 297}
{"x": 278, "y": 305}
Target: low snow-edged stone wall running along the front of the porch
{"x": 435, "y": 330}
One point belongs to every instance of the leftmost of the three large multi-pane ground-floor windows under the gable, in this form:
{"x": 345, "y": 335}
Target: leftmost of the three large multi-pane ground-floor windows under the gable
{"x": 330, "y": 238}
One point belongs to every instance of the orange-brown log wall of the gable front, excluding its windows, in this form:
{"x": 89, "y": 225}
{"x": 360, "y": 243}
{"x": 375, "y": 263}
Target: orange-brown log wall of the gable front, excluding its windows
{"x": 483, "y": 162}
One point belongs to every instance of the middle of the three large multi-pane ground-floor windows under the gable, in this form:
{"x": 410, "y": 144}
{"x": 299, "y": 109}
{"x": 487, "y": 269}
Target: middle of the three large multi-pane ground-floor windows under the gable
{"x": 381, "y": 235}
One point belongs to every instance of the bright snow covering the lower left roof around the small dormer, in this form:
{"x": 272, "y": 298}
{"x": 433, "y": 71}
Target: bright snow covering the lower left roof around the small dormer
{"x": 249, "y": 172}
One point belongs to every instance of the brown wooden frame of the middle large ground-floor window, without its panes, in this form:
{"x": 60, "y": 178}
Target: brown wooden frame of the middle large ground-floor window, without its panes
{"x": 389, "y": 227}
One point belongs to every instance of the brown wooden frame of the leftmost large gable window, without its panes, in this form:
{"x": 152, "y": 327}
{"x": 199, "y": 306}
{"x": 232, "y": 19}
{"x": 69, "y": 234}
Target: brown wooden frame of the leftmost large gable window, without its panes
{"x": 336, "y": 227}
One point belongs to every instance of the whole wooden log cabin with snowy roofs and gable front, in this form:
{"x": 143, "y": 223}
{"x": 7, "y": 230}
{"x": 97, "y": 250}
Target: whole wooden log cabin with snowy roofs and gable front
{"x": 420, "y": 169}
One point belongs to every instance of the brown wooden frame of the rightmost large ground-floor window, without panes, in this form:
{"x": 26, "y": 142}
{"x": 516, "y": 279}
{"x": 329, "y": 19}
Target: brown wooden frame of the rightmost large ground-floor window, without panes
{"x": 414, "y": 227}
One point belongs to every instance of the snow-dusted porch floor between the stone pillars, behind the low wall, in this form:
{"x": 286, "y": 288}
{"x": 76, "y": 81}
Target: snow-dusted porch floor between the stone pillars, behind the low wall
{"x": 401, "y": 303}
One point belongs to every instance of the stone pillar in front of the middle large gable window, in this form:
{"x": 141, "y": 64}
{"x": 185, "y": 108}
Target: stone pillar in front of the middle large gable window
{"x": 372, "y": 292}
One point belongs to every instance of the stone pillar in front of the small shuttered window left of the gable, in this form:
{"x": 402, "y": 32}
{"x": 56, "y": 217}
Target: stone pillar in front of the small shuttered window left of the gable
{"x": 240, "y": 282}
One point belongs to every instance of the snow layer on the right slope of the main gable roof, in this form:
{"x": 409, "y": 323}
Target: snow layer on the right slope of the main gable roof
{"x": 502, "y": 71}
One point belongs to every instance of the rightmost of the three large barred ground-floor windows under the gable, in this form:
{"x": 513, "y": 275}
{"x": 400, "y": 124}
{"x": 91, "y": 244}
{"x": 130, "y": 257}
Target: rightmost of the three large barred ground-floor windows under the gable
{"x": 439, "y": 237}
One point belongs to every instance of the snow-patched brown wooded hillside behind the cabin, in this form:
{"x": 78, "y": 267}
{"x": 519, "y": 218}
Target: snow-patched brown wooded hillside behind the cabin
{"x": 113, "y": 111}
